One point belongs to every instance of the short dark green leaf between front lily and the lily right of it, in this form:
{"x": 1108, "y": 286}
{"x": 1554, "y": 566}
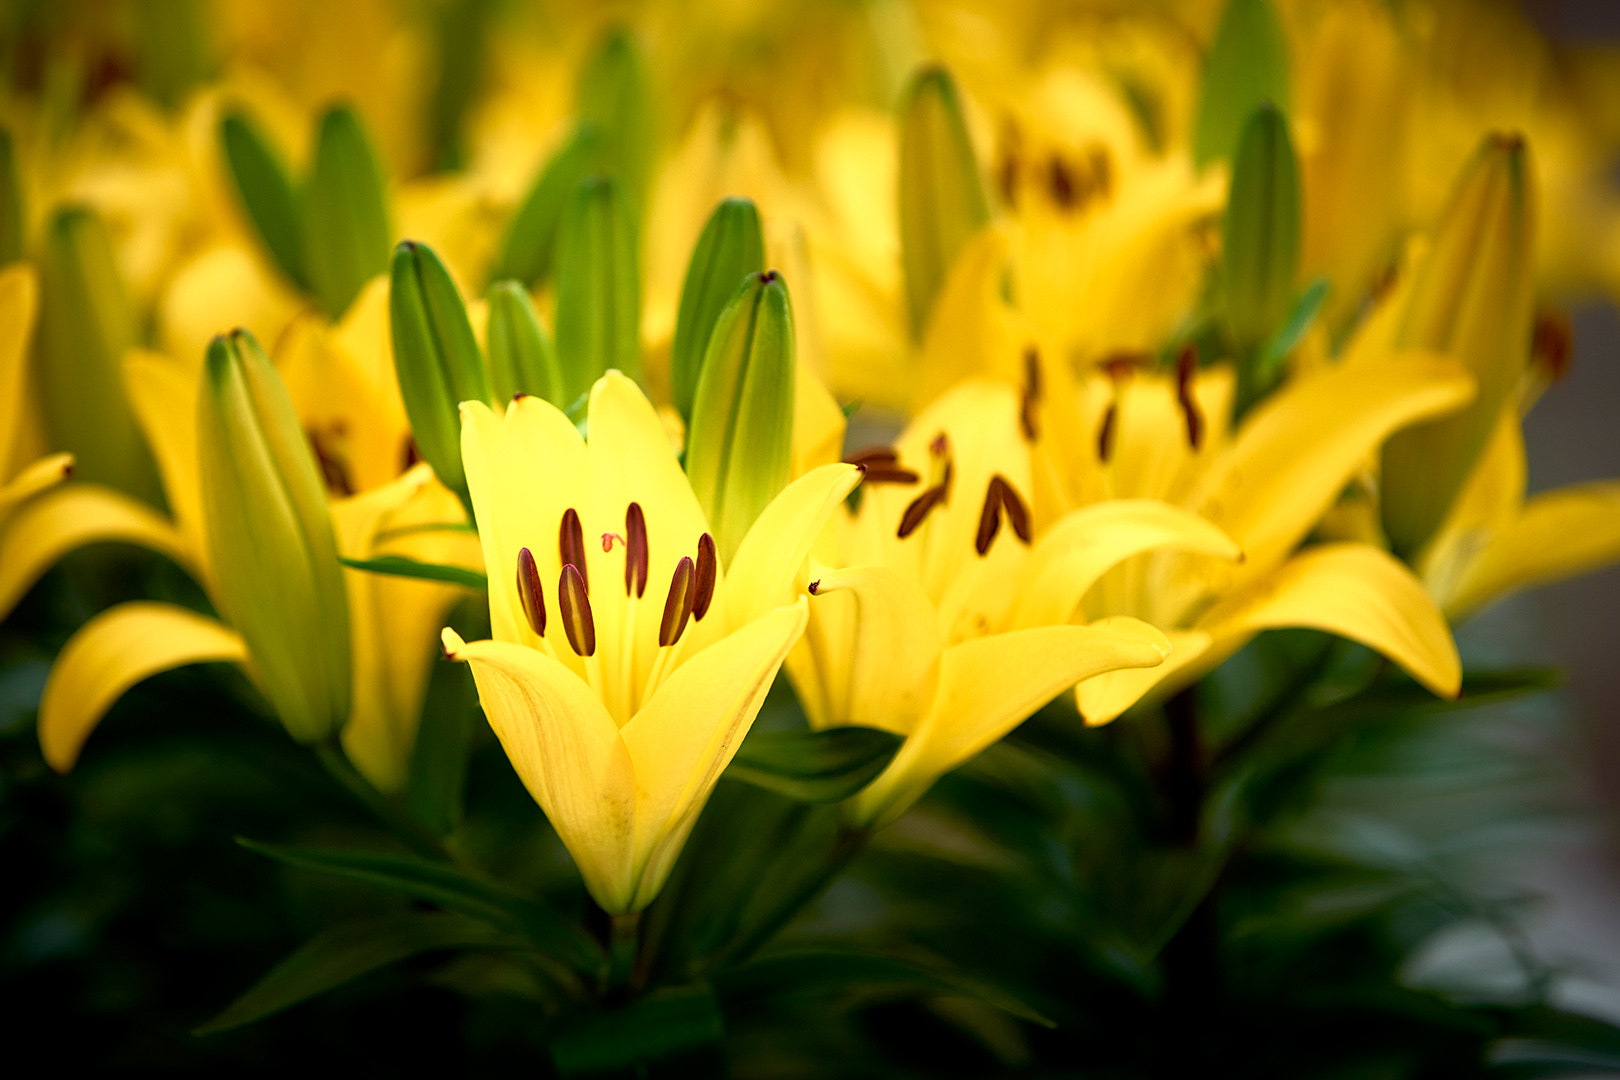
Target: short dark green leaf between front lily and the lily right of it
{"x": 816, "y": 767}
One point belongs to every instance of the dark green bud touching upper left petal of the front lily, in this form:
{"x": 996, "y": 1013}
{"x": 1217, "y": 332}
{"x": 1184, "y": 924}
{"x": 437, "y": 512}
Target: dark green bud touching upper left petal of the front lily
{"x": 435, "y": 357}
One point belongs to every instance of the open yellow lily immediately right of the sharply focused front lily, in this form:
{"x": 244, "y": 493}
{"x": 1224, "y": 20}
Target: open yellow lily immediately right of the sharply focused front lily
{"x": 923, "y": 629}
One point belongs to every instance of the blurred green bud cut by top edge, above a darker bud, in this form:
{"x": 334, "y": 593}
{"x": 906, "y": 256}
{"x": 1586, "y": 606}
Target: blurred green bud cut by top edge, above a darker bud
{"x": 1247, "y": 69}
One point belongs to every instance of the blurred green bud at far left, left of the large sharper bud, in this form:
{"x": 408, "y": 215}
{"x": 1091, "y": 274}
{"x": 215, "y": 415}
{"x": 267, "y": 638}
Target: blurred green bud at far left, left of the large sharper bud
{"x": 87, "y": 325}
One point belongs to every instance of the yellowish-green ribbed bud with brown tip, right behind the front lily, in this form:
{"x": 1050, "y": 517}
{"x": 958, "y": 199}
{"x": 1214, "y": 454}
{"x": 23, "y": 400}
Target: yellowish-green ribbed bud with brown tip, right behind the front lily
{"x": 740, "y": 446}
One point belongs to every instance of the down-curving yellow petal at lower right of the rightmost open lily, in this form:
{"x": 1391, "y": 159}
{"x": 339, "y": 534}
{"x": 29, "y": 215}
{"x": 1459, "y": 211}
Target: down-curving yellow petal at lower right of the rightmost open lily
{"x": 1358, "y": 593}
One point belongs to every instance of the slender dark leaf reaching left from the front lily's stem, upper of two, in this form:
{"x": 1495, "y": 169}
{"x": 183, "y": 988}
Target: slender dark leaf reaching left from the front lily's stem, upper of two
{"x": 450, "y": 888}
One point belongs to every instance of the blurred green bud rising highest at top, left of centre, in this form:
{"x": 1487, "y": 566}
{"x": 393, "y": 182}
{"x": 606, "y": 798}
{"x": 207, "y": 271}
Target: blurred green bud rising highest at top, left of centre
{"x": 615, "y": 98}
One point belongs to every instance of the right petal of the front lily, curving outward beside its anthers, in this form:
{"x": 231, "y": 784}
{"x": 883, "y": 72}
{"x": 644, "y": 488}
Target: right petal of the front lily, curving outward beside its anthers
{"x": 774, "y": 553}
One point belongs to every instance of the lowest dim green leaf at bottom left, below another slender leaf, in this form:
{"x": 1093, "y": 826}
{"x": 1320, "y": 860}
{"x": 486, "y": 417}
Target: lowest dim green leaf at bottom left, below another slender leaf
{"x": 346, "y": 953}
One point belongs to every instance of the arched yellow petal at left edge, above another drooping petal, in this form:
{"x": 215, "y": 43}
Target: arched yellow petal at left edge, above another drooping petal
{"x": 58, "y": 522}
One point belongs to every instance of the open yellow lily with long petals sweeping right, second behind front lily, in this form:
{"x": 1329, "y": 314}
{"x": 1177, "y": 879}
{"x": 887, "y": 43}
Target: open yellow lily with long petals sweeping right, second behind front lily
{"x": 1138, "y": 435}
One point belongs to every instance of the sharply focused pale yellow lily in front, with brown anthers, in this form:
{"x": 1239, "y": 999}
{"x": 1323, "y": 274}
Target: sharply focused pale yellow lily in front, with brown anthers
{"x": 621, "y": 699}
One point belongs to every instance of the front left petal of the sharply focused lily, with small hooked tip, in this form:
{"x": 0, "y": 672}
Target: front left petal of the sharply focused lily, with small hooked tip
{"x": 568, "y": 752}
